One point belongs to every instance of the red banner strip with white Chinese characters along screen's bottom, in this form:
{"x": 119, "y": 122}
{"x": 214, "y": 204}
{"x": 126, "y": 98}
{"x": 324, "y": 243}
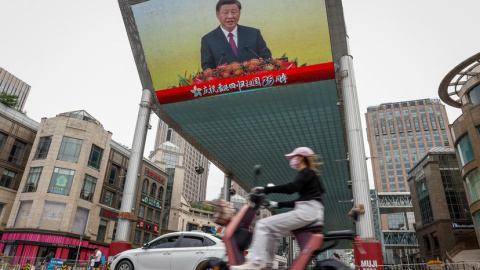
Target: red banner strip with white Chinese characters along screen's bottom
{"x": 304, "y": 74}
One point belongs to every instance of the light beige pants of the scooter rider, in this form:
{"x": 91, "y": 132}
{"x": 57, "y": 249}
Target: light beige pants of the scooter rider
{"x": 269, "y": 230}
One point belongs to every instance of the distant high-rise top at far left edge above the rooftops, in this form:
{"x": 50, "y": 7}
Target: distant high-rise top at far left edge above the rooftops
{"x": 12, "y": 85}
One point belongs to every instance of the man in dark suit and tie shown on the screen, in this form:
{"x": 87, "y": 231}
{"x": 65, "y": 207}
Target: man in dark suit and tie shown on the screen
{"x": 231, "y": 42}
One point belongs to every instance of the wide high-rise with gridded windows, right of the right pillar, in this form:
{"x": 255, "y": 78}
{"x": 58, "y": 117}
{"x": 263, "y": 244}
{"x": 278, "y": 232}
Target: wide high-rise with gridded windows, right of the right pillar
{"x": 399, "y": 135}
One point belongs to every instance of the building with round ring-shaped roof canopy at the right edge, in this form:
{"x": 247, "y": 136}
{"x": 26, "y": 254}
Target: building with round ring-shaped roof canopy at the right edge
{"x": 461, "y": 89}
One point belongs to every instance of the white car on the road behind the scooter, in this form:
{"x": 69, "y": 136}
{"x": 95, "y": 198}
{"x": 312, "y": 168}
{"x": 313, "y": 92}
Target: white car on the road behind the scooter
{"x": 173, "y": 251}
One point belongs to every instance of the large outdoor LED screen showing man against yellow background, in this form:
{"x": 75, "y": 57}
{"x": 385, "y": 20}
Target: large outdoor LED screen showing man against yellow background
{"x": 190, "y": 53}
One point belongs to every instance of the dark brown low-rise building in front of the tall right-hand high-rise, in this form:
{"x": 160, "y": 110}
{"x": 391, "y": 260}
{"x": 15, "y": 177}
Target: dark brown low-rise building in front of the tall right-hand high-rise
{"x": 443, "y": 220}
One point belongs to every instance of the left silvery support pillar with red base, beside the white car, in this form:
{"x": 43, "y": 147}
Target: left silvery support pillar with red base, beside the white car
{"x": 127, "y": 216}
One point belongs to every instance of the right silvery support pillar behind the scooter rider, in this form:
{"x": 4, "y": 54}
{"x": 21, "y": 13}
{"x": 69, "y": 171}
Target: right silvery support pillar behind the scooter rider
{"x": 357, "y": 158}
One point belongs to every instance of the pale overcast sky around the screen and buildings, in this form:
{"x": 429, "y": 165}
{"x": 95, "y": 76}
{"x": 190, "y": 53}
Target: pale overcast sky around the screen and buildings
{"x": 76, "y": 56}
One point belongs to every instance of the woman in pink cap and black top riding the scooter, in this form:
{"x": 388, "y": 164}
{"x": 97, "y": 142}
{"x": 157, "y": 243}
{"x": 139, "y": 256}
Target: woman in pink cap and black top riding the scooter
{"x": 308, "y": 209}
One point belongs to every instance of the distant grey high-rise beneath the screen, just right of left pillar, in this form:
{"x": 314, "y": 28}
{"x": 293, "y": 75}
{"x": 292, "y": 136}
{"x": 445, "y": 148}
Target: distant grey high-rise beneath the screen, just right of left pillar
{"x": 196, "y": 165}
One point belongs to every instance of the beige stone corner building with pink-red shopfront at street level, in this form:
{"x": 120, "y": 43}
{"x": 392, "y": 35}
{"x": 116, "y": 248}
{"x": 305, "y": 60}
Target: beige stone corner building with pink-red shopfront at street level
{"x": 69, "y": 196}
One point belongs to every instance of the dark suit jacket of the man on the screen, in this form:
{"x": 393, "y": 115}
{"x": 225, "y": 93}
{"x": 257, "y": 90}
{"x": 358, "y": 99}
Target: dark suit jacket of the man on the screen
{"x": 217, "y": 51}
